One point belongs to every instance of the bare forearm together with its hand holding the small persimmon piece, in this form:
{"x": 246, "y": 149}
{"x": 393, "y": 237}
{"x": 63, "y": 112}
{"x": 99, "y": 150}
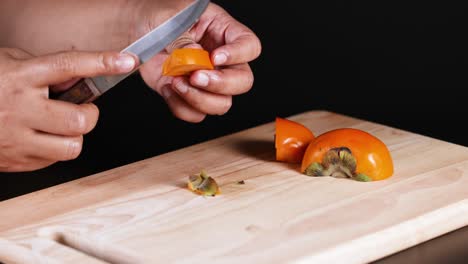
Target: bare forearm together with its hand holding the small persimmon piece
{"x": 112, "y": 25}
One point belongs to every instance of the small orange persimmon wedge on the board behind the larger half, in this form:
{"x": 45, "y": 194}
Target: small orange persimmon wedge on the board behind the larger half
{"x": 291, "y": 140}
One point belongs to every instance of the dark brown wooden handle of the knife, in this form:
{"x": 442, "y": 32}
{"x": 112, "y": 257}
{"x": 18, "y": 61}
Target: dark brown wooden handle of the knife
{"x": 84, "y": 91}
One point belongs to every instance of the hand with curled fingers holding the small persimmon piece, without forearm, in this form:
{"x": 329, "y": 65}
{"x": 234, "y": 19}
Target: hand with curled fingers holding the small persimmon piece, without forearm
{"x": 232, "y": 46}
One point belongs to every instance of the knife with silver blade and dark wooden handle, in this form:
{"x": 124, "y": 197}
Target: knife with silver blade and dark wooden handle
{"x": 89, "y": 89}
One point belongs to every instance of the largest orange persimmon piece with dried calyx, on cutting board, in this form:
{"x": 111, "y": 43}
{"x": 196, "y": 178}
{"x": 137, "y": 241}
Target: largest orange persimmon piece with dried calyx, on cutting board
{"x": 348, "y": 153}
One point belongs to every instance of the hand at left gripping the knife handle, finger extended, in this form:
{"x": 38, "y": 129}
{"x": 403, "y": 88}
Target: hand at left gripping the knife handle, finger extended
{"x": 36, "y": 131}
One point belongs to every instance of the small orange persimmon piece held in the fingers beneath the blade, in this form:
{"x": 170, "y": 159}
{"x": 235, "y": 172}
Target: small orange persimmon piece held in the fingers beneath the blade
{"x": 183, "y": 61}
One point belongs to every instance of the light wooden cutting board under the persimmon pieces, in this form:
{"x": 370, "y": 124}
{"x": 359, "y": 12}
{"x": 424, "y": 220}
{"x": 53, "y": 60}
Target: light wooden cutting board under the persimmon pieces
{"x": 142, "y": 212}
